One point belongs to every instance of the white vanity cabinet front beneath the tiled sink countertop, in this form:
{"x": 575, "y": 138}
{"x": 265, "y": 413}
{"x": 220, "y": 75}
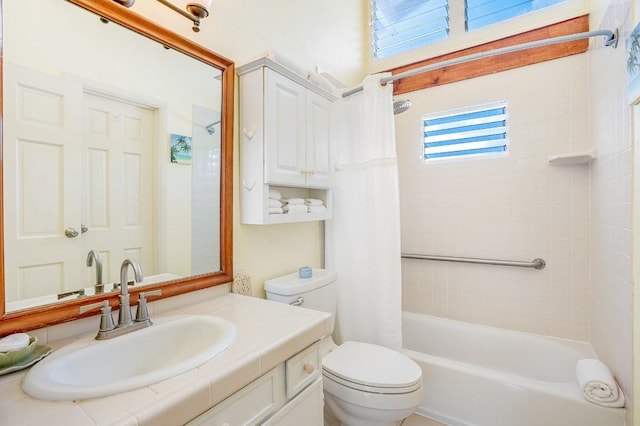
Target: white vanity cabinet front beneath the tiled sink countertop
{"x": 289, "y": 394}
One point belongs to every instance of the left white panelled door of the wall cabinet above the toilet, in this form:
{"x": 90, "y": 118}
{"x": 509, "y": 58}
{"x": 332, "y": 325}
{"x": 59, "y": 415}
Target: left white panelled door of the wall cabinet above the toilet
{"x": 284, "y": 131}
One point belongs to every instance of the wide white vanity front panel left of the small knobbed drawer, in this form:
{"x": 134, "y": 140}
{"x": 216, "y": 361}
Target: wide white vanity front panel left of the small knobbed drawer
{"x": 251, "y": 405}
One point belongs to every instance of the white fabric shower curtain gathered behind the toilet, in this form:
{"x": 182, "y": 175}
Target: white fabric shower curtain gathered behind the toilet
{"x": 363, "y": 238}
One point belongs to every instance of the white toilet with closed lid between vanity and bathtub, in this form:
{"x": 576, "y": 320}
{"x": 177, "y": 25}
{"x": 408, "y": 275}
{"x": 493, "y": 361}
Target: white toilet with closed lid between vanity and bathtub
{"x": 364, "y": 384}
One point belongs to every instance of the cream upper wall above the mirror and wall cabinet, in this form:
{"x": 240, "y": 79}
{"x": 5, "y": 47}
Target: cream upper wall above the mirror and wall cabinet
{"x": 329, "y": 34}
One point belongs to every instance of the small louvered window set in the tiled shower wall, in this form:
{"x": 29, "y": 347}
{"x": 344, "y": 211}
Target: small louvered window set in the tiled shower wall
{"x": 474, "y": 131}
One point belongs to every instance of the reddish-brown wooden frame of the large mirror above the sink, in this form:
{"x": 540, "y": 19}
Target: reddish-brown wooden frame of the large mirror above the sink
{"x": 45, "y": 315}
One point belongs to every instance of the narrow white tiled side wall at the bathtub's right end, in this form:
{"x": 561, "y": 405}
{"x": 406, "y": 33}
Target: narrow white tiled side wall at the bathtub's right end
{"x": 611, "y": 195}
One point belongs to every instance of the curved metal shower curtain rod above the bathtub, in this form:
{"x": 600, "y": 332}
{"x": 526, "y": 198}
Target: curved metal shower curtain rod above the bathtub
{"x": 611, "y": 39}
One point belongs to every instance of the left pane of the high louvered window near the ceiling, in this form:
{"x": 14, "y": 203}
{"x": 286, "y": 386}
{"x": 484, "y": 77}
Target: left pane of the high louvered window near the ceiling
{"x": 401, "y": 25}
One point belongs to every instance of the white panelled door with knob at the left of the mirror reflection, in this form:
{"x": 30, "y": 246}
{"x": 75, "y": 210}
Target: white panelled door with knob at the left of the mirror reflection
{"x": 42, "y": 182}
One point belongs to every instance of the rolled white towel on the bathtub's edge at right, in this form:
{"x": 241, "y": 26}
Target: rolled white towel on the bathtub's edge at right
{"x": 597, "y": 383}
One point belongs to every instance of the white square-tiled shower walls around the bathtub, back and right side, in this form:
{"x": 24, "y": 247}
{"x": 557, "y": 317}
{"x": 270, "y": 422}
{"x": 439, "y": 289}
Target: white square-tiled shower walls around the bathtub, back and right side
{"x": 578, "y": 218}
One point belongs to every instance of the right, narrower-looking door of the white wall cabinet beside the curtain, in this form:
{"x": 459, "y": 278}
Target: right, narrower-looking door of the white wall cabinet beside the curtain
{"x": 318, "y": 159}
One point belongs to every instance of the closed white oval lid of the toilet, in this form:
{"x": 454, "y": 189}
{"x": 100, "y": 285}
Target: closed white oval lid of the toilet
{"x": 372, "y": 366}
